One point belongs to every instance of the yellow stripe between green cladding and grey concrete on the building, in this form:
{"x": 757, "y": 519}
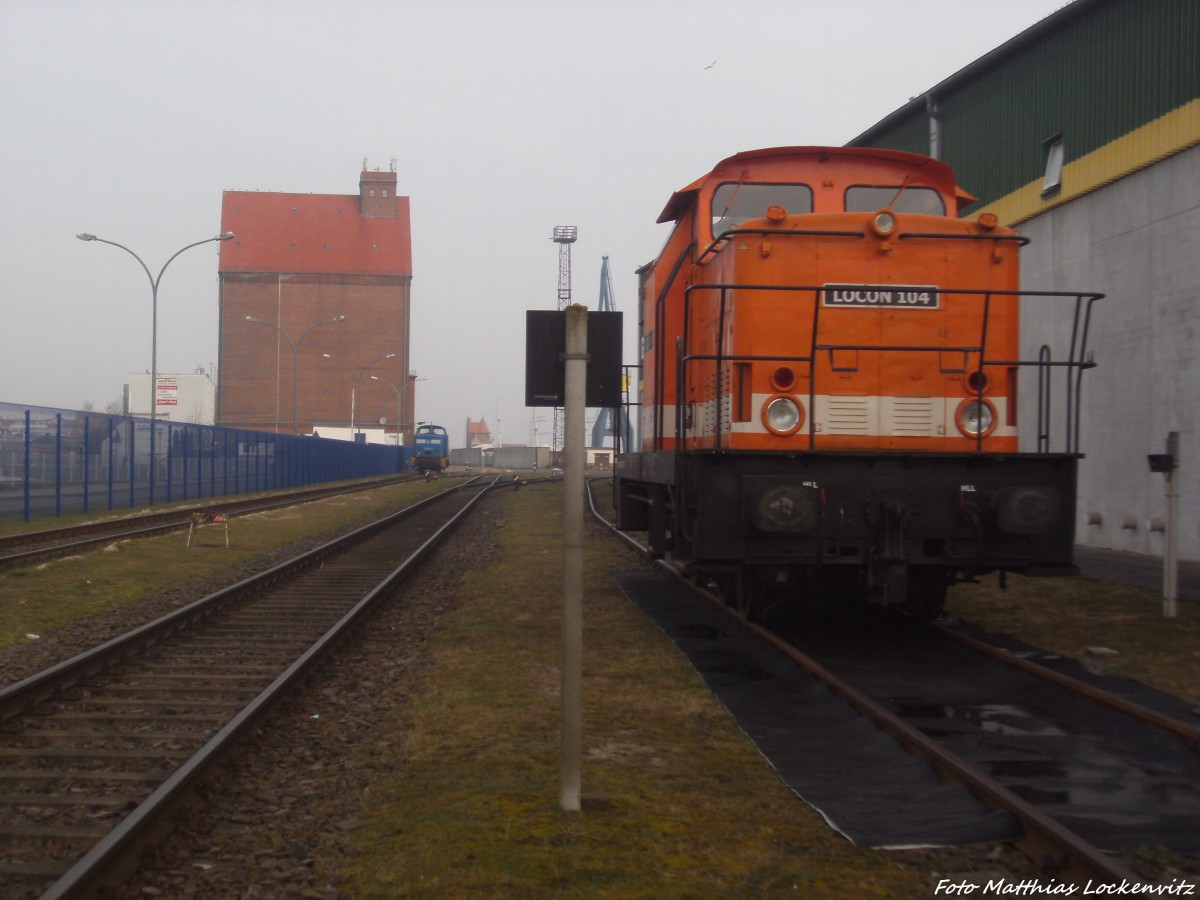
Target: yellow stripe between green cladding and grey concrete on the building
{"x": 1141, "y": 148}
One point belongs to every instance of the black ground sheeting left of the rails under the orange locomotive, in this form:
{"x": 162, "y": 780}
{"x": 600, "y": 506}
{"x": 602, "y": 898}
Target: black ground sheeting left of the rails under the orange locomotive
{"x": 863, "y": 782}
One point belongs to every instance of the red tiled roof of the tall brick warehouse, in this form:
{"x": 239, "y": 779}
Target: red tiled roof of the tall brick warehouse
{"x": 313, "y": 233}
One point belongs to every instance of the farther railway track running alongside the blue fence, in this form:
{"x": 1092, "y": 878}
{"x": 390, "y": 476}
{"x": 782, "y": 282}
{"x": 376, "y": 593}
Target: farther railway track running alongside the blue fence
{"x": 29, "y": 548}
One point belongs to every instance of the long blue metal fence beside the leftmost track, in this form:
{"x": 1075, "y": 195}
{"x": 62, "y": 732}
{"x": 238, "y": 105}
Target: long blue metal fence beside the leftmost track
{"x": 57, "y": 463}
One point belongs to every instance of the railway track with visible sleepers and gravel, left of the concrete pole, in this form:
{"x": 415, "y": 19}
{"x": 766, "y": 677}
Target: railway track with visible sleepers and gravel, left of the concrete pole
{"x": 98, "y": 749}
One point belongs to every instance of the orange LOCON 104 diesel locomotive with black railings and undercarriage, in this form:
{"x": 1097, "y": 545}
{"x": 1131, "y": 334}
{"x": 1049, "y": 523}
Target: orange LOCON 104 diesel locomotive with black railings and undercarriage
{"x": 831, "y": 362}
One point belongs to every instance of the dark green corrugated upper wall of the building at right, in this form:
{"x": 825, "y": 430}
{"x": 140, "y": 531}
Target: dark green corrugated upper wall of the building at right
{"x": 1113, "y": 68}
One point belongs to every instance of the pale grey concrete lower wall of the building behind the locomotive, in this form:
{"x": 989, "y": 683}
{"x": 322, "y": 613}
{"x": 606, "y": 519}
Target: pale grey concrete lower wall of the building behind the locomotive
{"x": 1138, "y": 242}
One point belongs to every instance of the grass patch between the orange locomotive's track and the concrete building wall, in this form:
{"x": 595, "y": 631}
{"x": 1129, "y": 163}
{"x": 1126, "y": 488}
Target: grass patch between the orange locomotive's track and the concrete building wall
{"x": 1067, "y": 616}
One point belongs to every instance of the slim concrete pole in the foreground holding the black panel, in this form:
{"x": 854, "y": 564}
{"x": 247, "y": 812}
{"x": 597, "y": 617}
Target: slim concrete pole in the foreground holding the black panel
{"x": 575, "y": 403}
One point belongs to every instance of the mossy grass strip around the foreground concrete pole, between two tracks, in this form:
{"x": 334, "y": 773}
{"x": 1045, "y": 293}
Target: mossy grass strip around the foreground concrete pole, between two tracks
{"x": 691, "y": 809}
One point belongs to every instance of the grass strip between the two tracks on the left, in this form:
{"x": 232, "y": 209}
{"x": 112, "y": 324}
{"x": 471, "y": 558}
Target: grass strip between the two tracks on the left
{"x": 37, "y": 601}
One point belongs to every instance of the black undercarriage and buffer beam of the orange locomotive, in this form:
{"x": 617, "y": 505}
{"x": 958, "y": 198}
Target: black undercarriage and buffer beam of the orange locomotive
{"x": 812, "y": 530}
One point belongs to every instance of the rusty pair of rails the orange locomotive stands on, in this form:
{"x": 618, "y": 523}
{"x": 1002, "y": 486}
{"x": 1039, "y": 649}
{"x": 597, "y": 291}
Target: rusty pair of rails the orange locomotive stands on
{"x": 1055, "y": 845}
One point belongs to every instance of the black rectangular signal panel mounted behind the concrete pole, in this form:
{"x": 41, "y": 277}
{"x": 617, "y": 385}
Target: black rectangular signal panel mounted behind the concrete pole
{"x": 545, "y": 369}
